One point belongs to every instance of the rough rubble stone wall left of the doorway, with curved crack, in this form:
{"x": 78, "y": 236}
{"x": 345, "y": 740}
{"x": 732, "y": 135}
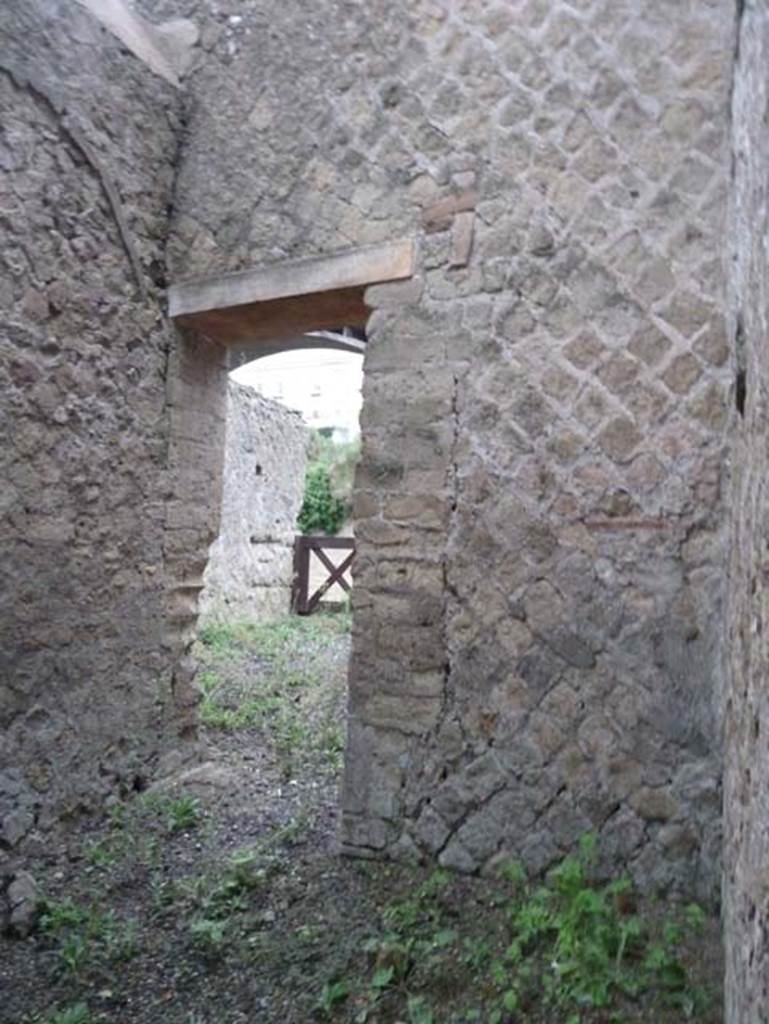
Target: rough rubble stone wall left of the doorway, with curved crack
{"x": 88, "y": 154}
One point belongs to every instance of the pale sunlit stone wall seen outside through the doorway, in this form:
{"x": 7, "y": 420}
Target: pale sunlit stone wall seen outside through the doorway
{"x": 250, "y": 569}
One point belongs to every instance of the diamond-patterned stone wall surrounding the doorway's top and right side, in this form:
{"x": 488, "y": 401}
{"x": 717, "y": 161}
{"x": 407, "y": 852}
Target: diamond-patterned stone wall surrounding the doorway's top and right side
{"x": 540, "y": 519}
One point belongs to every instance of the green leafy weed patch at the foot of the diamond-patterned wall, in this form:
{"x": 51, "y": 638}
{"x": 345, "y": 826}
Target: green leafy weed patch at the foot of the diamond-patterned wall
{"x": 570, "y": 951}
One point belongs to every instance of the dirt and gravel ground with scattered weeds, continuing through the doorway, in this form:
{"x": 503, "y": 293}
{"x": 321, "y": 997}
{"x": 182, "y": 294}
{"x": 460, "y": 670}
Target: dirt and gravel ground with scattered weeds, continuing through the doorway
{"x": 221, "y": 900}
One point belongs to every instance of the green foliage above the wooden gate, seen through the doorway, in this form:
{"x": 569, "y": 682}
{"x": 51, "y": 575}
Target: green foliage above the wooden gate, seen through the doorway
{"x": 328, "y": 485}
